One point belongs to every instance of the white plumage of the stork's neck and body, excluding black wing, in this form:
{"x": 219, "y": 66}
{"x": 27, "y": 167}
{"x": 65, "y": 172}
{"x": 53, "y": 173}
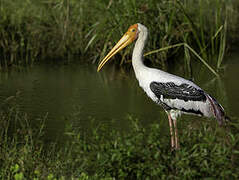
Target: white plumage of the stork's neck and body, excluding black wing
{"x": 146, "y": 75}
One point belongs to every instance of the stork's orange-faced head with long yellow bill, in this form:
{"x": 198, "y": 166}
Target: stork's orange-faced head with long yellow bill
{"x": 127, "y": 39}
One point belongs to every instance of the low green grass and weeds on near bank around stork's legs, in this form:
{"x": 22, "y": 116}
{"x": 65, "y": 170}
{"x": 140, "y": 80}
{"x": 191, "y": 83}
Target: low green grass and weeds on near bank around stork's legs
{"x": 207, "y": 151}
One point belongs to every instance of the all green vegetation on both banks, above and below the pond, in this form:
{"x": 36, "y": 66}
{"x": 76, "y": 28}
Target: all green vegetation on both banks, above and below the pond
{"x": 54, "y": 30}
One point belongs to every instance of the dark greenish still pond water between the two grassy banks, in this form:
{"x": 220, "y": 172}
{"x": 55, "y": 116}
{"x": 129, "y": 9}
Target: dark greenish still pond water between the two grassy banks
{"x": 112, "y": 94}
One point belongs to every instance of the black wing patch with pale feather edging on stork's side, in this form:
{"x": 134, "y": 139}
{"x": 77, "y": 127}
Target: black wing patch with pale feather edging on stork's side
{"x": 172, "y": 91}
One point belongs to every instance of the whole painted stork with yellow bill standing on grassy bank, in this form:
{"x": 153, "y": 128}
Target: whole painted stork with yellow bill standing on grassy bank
{"x": 175, "y": 94}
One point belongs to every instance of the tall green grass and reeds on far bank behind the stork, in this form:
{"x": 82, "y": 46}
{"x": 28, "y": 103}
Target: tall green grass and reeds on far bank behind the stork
{"x": 52, "y": 30}
